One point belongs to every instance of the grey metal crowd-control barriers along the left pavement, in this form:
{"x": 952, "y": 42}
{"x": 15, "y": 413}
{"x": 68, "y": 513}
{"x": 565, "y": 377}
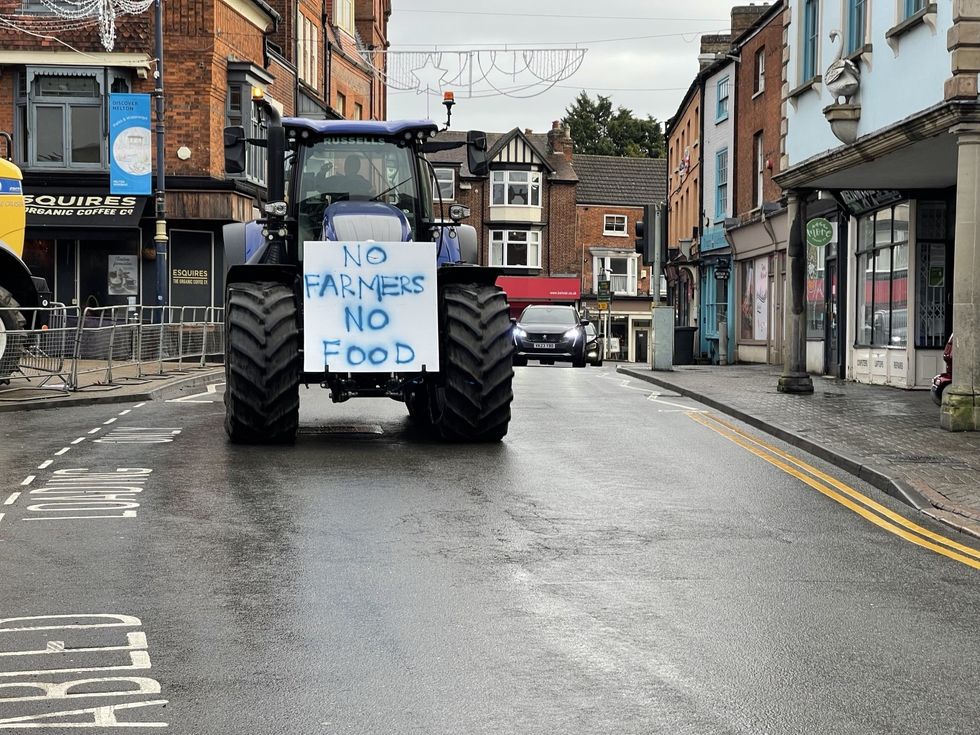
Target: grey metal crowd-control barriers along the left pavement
{"x": 67, "y": 349}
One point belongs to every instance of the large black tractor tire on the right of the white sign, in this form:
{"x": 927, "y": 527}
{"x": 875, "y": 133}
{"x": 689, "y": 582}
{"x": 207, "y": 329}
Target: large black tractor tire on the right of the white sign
{"x": 471, "y": 402}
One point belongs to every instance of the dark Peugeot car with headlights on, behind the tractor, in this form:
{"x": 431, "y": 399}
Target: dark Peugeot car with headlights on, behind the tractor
{"x": 549, "y": 334}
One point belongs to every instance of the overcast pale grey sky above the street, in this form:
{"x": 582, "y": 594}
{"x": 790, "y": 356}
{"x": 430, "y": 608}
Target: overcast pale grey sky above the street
{"x": 647, "y": 75}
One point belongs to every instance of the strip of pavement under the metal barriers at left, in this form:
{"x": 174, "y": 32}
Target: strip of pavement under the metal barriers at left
{"x": 126, "y": 386}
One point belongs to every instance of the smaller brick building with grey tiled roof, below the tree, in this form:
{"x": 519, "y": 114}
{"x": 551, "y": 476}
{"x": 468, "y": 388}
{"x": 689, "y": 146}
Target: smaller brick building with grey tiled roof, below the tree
{"x": 610, "y": 196}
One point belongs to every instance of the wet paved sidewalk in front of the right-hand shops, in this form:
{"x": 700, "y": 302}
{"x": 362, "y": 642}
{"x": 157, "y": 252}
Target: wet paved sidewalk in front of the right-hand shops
{"x": 887, "y": 436}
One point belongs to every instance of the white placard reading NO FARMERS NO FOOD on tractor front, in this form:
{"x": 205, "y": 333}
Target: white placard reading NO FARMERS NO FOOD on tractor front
{"x": 370, "y": 307}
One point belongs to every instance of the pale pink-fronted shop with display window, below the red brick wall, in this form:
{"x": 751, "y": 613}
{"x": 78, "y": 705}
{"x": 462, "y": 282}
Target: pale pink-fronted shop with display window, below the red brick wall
{"x": 760, "y": 276}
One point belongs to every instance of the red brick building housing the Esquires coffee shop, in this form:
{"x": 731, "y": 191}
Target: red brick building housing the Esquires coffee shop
{"x": 54, "y": 101}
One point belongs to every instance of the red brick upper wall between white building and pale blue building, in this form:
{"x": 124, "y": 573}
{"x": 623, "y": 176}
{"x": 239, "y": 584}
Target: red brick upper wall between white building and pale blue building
{"x": 759, "y": 113}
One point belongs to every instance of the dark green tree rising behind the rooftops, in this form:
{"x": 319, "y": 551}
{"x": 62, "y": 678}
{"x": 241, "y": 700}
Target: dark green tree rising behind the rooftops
{"x": 597, "y": 130}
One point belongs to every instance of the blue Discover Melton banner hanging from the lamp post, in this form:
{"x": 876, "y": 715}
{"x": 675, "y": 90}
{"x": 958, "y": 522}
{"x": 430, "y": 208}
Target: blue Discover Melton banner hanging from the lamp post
{"x": 130, "y": 157}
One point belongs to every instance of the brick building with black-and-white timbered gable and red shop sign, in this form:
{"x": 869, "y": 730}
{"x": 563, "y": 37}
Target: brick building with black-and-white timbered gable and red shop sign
{"x": 523, "y": 211}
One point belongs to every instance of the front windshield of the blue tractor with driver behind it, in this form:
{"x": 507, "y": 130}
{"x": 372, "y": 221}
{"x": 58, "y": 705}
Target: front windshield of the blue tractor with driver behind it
{"x": 355, "y": 168}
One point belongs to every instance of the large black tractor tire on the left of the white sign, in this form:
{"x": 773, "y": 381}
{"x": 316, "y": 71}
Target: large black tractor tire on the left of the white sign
{"x": 262, "y": 364}
